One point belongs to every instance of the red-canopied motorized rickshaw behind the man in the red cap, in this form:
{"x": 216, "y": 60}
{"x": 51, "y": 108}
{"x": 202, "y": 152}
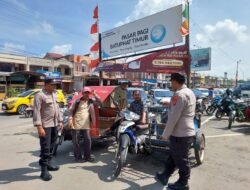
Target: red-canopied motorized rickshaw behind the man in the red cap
{"x": 105, "y": 116}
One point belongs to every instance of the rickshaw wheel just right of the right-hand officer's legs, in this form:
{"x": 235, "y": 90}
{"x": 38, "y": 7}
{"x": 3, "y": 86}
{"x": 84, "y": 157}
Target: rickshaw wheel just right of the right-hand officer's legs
{"x": 199, "y": 148}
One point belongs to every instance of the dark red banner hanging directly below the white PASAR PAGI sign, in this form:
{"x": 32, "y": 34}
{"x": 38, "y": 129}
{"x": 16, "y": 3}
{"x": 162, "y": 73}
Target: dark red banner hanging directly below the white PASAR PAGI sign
{"x": 170, "y": 60}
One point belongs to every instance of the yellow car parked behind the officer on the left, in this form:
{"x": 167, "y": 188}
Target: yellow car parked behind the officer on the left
{"x": 21, "y": 102}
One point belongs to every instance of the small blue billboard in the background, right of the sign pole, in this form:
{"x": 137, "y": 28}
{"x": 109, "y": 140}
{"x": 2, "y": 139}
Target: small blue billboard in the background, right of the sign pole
{"x": 201, "y": 59}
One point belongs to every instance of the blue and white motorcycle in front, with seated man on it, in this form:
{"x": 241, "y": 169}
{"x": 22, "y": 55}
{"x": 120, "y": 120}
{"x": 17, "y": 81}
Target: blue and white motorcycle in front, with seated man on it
{"x": 130, "y": 137}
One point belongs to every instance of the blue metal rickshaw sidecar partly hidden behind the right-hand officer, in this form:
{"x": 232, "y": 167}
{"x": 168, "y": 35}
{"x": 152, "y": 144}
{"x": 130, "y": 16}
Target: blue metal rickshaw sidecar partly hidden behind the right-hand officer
{"x": 156, "y": 128}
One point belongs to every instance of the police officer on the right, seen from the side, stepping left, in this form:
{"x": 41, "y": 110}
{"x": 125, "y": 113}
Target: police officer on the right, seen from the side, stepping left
{"x": 180, "y": 132}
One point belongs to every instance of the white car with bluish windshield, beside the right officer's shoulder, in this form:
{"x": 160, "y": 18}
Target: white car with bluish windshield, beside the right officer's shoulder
{"x": 161, "y": 95}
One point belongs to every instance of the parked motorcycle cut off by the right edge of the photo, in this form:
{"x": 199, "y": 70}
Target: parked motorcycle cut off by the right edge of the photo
{"x": 241, "y": 113}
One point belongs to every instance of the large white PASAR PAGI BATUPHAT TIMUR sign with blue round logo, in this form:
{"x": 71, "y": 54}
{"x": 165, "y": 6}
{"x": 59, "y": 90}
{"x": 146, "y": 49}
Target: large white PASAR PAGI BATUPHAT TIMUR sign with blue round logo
{"x": 154, "y": 31}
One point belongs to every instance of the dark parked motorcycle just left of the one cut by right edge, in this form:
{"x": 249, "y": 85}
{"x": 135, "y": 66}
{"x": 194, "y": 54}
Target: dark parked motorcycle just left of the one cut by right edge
{"x": 225, "y": 107}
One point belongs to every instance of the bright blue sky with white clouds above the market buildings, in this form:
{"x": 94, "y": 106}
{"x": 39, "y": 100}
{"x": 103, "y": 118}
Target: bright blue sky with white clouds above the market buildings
{"x": 62, "y": 26}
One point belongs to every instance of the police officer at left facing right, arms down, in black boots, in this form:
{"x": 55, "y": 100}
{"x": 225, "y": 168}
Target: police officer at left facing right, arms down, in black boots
{"x": 47, "y": 118}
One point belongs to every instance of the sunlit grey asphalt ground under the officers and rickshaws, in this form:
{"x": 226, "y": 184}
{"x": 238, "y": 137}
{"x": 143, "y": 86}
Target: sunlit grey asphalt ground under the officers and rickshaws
{"x": 226, "y": 166}
